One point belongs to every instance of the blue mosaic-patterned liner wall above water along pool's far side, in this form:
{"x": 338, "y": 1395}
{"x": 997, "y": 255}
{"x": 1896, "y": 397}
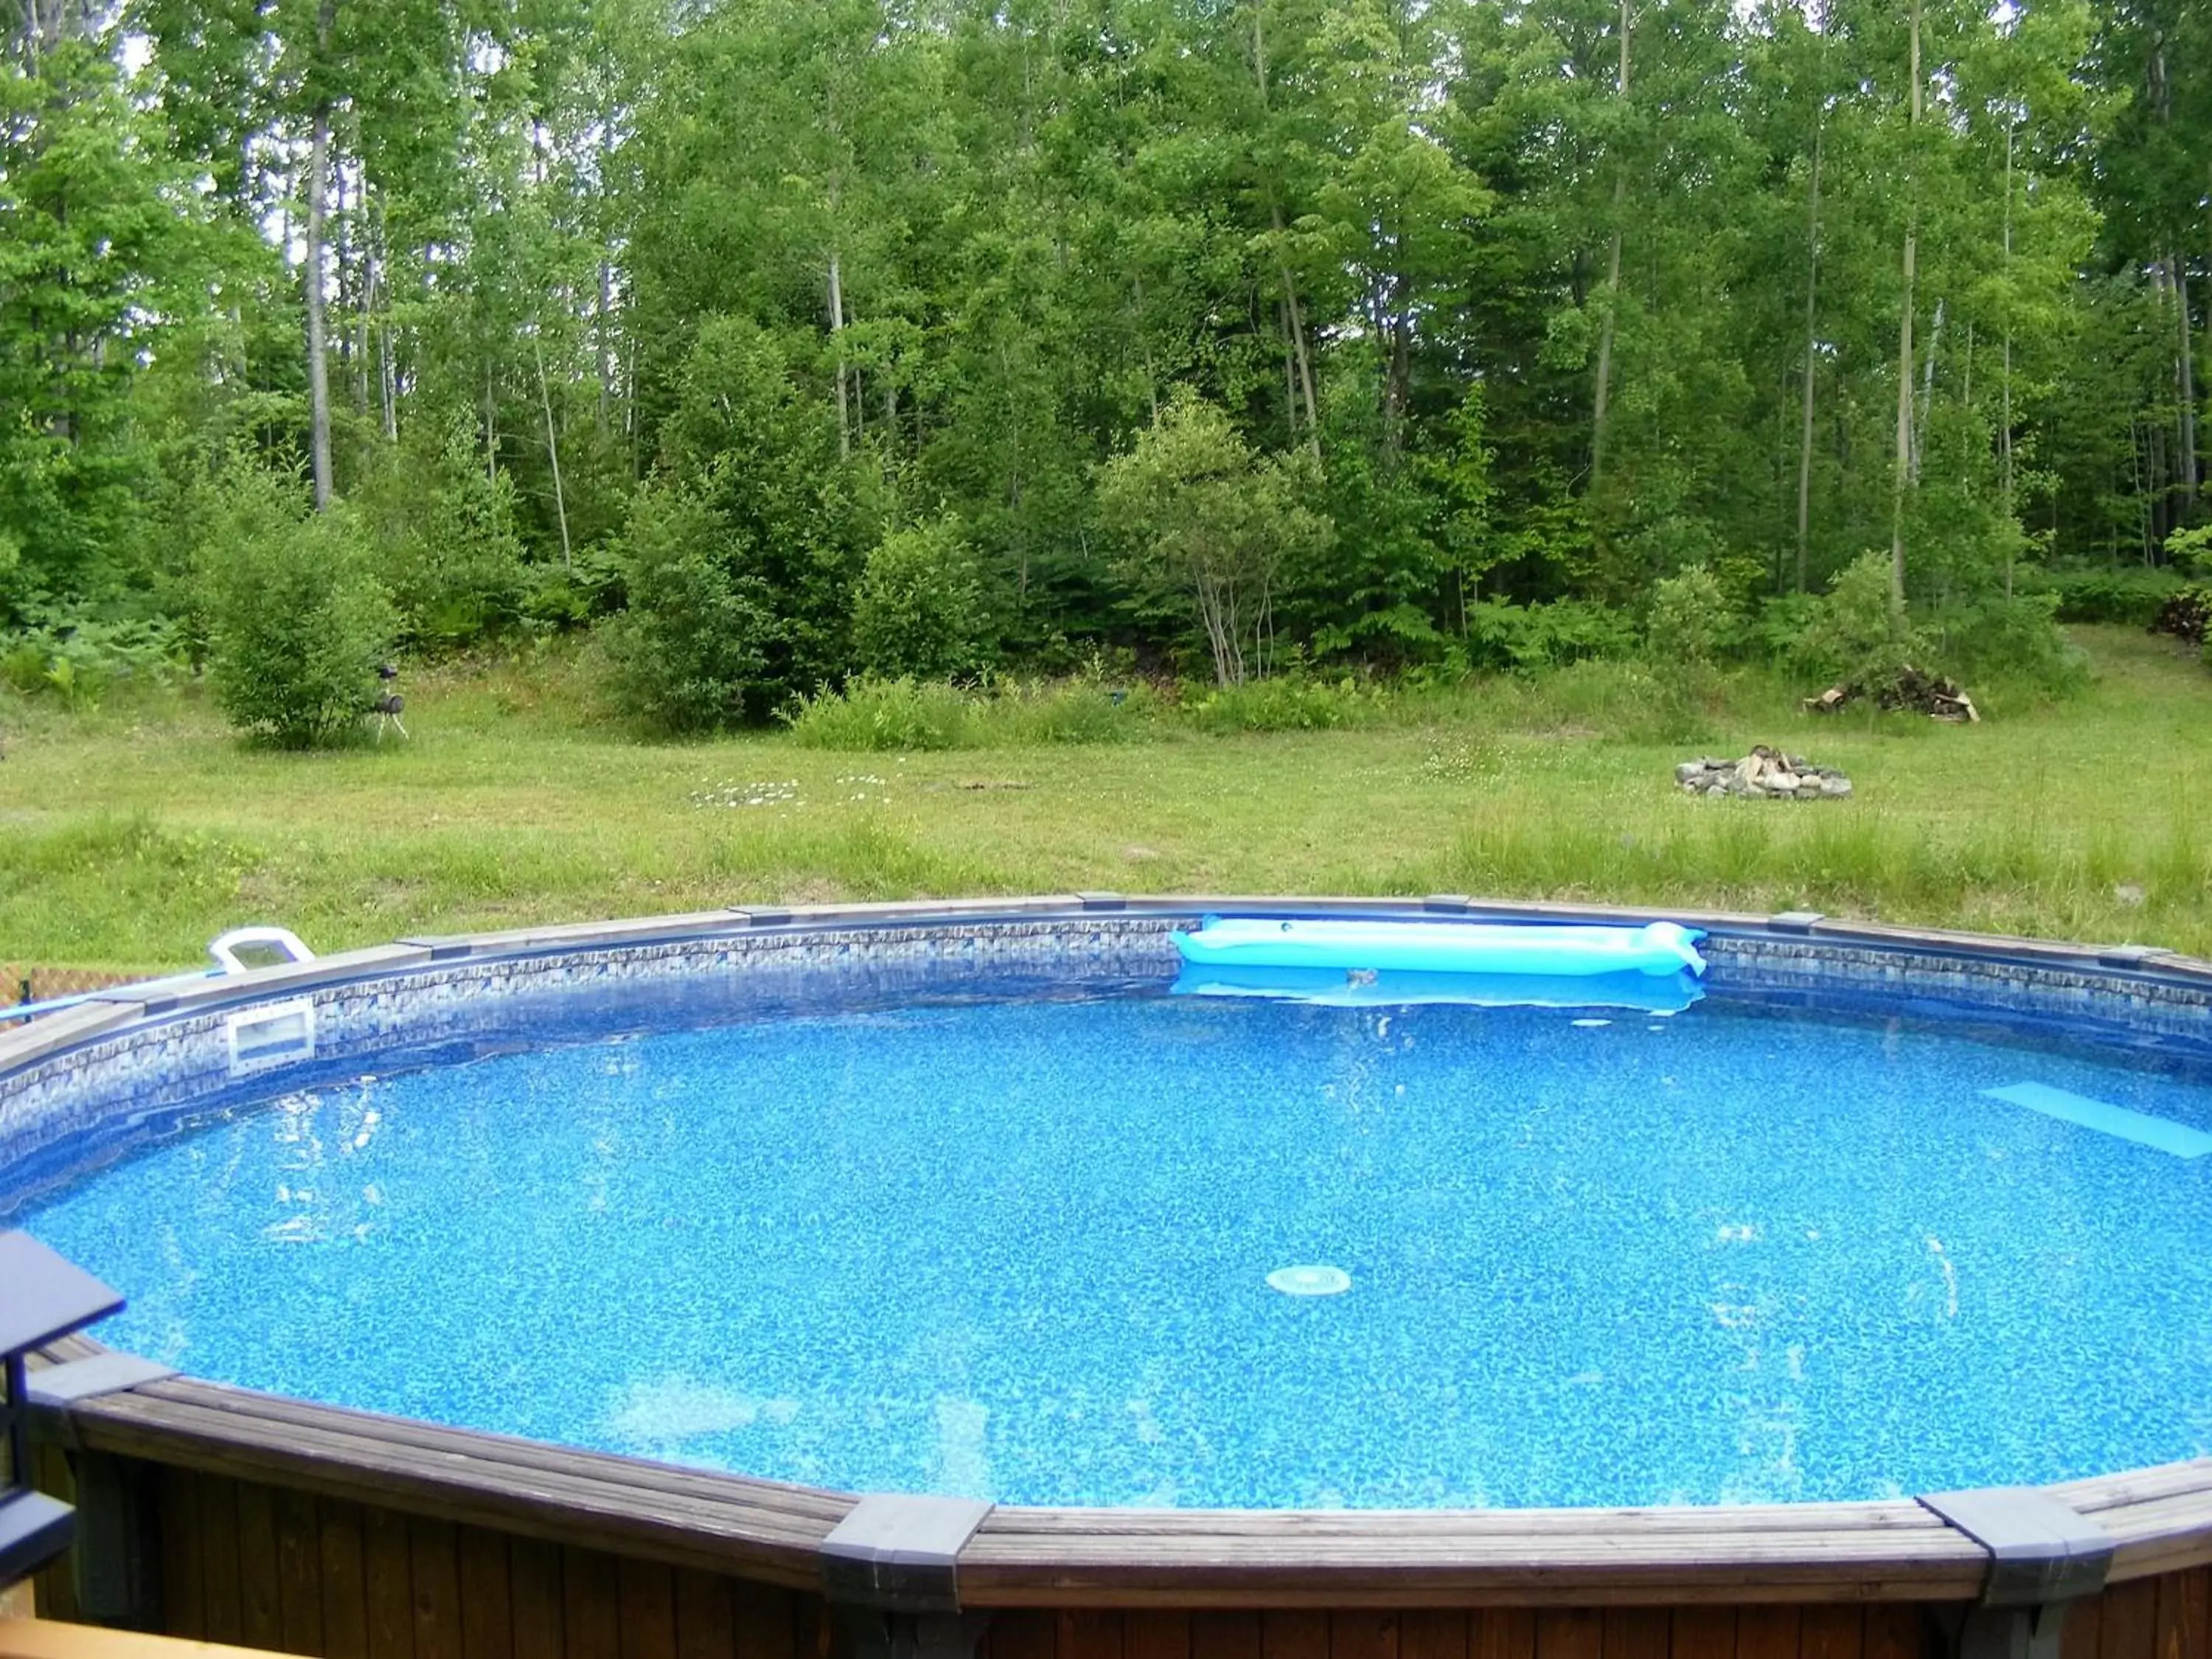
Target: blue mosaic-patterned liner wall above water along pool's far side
{"x": 145, "y": 1065}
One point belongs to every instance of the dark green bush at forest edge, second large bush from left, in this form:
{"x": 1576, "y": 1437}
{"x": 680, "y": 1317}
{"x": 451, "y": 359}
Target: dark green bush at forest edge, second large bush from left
{"x": 693, "y": 645}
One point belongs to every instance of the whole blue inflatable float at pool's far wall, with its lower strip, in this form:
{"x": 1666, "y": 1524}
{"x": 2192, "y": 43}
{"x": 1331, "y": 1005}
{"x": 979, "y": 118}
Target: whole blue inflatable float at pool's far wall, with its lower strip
{"x": 1366, "y": 963}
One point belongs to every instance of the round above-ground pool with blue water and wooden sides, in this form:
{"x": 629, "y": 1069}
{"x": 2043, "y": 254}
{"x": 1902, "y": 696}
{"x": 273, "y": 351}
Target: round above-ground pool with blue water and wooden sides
{"x": 660, "y": 1242}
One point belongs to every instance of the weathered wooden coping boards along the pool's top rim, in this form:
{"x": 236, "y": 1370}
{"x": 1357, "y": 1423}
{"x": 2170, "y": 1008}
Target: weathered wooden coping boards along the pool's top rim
{"x": 1105, "y": 1558}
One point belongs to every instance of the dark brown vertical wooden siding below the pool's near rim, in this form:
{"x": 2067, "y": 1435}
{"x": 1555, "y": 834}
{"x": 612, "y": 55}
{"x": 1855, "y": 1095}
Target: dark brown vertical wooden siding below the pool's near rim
{"x": 273, "y": 1565}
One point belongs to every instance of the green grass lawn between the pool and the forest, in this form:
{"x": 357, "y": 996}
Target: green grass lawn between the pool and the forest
{"x": 134, "y": 835}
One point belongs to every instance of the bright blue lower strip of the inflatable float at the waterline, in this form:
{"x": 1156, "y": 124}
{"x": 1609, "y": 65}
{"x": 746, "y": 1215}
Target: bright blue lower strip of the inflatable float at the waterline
{"x": 1658, "y": 994}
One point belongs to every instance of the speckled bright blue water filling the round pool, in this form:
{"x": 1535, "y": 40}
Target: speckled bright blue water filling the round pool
{"x": 1023, "y": 1251}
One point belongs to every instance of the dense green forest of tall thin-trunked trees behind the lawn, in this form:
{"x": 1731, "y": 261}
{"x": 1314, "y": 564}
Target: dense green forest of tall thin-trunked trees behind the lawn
{"x": 780, "y": 346}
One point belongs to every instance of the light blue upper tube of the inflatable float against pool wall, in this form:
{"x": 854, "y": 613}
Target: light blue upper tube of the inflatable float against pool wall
{"x": 1443, "y": 948}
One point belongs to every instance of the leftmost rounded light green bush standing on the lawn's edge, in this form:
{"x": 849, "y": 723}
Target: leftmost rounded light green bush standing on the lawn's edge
{"x": 298, "y": 618}
